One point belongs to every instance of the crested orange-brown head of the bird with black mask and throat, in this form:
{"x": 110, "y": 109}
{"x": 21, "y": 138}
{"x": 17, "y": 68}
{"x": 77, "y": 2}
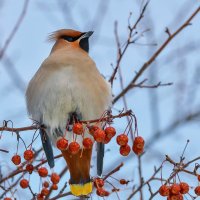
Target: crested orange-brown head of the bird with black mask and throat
{"x": 70, "y": 38}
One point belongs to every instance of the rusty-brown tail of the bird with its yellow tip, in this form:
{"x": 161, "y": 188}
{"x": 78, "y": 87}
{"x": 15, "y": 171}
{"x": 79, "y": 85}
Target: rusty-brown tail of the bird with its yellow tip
{"x": 79, "y": 167}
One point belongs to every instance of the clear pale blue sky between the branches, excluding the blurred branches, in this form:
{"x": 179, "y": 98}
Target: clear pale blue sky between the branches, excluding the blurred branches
{"x": 29, "y": 48}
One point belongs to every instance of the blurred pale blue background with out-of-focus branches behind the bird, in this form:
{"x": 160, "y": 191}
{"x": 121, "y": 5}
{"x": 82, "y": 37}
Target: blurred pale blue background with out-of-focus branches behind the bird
{"x": 167, "y": 116}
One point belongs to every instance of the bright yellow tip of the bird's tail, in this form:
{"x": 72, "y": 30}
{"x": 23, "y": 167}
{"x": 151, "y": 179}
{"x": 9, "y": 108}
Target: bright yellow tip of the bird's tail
{"x": 79, "y": 189}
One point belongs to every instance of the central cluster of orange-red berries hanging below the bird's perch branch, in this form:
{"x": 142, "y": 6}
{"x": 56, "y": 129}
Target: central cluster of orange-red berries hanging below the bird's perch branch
{"x": 103, "y": 136}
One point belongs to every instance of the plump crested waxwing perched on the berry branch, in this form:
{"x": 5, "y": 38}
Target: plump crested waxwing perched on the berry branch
{"x": 67, "y": 86}
